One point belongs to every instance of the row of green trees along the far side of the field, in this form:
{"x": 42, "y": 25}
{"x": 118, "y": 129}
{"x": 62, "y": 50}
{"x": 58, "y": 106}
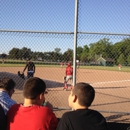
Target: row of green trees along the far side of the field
{"x": 119, "y": 52}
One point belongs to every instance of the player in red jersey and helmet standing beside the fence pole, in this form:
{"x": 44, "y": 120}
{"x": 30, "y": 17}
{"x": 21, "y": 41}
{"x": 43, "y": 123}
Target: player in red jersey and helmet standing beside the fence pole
{"x": 69, "y": 76}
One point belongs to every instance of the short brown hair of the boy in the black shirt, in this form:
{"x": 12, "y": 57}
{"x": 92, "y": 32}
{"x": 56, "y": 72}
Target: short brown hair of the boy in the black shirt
{"x": 85, "y": 93}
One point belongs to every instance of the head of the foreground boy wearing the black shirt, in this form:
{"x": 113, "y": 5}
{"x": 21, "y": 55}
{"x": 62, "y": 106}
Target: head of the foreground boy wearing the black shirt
{"x": 82, "y": 94}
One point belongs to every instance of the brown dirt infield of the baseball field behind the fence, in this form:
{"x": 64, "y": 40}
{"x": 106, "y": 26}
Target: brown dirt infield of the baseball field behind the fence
{"x": 112, "y": 90}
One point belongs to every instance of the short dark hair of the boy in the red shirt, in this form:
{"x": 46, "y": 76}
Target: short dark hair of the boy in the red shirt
{"x": 33, "y": 87}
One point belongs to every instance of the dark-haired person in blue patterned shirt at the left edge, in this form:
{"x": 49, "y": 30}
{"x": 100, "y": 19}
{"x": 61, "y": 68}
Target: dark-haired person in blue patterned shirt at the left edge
{"x": 7, "y": 86}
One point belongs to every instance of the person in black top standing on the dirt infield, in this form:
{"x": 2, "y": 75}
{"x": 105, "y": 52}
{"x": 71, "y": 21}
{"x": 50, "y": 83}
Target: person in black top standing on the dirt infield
{"x": 30, "y": 66}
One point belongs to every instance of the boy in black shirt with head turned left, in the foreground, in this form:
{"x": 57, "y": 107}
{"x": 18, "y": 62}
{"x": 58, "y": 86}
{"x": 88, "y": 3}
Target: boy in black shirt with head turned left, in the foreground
{"x": 82, "y": 118}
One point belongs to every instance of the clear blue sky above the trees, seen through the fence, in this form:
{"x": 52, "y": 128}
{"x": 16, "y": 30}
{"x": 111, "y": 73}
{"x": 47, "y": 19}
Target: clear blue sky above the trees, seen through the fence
{"x": 104, "y": 16}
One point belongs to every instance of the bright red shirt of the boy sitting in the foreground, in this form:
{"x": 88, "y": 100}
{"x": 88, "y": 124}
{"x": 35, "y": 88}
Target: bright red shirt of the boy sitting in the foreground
{"x": 31, "y": 118}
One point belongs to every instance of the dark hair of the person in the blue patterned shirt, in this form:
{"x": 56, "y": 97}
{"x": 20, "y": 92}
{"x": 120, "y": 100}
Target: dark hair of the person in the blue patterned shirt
{"x": 7, "y": 83}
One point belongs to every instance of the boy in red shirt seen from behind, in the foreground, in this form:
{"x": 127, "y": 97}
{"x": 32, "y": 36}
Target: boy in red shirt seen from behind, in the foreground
{"x": 31, "y": 115}
